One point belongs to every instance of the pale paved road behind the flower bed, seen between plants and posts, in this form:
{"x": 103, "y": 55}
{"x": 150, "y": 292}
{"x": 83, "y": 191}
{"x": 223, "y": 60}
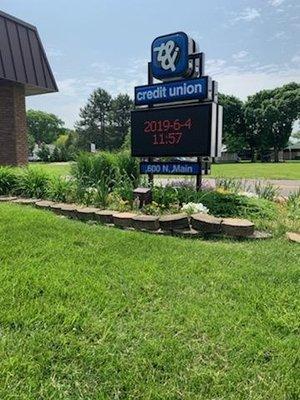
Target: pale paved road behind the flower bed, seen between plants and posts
{"x": 285, "y": 186}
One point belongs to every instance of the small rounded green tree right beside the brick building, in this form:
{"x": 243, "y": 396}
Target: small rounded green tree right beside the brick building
{"x": 44, "y": 127}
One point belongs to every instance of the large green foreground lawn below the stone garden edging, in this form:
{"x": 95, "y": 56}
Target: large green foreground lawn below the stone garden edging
{"x": 89, "y": 312}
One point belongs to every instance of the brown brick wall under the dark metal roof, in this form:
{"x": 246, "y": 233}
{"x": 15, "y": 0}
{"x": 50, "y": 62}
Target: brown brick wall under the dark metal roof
{"x": 13, "y": 129}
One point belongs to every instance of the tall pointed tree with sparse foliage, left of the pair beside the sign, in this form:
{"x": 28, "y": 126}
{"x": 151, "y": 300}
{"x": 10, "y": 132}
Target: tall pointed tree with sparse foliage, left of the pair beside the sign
{"x": 95, "y": 120}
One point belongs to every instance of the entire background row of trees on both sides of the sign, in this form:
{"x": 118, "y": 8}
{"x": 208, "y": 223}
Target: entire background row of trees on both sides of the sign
{"x": 260, "y": 124}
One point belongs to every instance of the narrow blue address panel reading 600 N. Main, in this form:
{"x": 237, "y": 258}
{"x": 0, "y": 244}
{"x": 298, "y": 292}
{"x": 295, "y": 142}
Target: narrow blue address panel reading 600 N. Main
{"x": 171, "y": 168}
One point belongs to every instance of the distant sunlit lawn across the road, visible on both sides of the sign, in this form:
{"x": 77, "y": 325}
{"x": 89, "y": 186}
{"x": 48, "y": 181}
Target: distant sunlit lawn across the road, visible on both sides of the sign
{"x": 288, "y": 170}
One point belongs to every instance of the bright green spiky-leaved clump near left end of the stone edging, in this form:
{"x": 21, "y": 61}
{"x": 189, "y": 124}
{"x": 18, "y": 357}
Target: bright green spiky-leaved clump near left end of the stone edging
{"x": 32, "y": 182}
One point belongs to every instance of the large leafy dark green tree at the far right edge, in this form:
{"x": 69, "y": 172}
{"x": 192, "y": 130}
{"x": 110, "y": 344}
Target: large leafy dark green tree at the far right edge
{"x": 269, "y": 116}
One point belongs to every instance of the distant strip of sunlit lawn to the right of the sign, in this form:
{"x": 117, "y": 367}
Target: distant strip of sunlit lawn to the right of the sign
{"x": 287, "y": 170}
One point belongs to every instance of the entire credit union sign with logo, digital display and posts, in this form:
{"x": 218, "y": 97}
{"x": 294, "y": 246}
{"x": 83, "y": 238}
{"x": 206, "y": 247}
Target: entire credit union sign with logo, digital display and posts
{"x": 178, "y": 117}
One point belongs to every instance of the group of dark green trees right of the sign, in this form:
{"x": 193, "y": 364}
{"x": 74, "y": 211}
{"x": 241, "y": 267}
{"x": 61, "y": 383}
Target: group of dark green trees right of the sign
{"x": 262, "y": 123}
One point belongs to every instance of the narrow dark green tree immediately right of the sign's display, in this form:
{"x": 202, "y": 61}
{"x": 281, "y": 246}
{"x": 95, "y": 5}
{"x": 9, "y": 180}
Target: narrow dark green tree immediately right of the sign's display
{"x": 234, "y": 122}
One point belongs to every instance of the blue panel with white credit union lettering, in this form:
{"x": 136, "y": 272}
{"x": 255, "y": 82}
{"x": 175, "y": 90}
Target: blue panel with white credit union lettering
{"x": 188, "y": 89}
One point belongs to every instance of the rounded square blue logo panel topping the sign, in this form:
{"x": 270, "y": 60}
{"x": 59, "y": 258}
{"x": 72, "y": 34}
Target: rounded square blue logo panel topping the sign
{"x": 170, "y": 56}
